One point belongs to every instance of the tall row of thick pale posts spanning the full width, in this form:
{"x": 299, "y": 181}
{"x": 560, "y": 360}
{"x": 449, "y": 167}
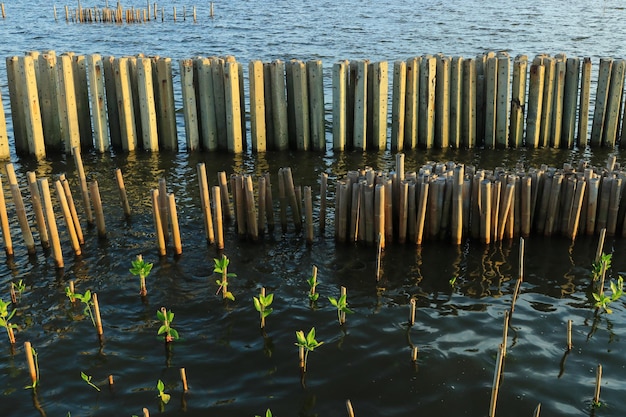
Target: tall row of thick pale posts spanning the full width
{"x": 491, "y": 101}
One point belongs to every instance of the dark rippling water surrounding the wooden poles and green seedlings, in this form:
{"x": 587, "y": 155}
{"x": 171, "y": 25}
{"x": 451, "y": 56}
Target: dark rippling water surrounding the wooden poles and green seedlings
{"x": 234, "y": 369}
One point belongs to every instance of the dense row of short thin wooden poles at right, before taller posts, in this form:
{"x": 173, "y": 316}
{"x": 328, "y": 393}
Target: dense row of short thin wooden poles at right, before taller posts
{"x": 452, "y": 201}
